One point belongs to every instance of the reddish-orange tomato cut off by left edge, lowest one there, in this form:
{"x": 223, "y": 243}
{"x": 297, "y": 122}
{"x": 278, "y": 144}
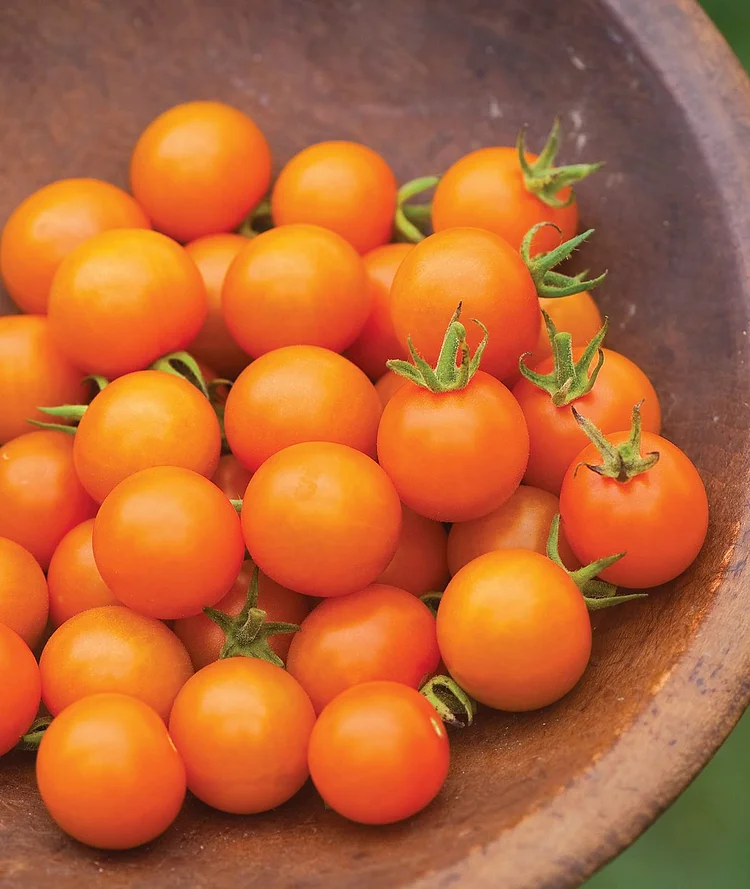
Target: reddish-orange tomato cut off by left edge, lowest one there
{"x": 19, "y": 679}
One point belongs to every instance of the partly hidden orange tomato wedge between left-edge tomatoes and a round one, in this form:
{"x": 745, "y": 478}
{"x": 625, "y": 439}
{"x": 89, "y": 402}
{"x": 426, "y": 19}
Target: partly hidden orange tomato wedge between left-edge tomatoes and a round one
{"x": 75, "y": 584}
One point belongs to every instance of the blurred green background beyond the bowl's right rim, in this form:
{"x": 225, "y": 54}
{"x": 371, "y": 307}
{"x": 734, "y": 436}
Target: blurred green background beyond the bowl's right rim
{"x": 703, "y": 840}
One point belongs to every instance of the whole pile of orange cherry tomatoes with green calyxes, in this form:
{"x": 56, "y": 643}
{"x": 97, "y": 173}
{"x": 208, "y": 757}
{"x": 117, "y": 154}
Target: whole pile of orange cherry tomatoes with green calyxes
{"x": 259, "y": 572}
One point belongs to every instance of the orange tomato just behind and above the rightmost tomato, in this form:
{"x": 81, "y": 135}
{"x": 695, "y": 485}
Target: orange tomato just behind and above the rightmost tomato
{"x": 554, "y": 436}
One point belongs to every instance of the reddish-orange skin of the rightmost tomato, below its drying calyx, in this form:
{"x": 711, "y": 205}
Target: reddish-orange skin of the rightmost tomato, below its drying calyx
{"x": 659, "y": 519}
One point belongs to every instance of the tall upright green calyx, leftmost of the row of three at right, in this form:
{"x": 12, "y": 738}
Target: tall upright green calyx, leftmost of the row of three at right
{"x": 447, "y": 375}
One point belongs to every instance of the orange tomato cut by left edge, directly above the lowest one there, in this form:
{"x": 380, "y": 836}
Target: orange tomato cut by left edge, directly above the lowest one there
{"x": 24, "y": 598}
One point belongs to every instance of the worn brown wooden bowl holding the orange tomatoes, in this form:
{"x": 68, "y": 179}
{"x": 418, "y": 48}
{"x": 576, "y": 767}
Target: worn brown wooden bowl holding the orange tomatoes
{"x": 539, "y": 800}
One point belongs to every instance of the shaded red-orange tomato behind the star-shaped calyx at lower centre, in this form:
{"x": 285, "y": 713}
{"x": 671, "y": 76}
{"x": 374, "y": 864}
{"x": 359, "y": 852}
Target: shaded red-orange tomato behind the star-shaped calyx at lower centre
{"x": 204, "y": 639}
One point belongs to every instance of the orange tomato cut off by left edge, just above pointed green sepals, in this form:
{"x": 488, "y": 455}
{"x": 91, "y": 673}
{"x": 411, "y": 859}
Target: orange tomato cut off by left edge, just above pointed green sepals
{"x": 33, "y": 373}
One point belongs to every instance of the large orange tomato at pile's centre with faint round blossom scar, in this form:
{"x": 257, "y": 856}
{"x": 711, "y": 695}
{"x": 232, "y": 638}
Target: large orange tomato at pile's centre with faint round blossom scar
{"x": 324, "y": 505}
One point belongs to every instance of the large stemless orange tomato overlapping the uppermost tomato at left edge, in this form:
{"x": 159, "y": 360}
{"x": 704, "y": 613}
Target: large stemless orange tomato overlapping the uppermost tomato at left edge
{"x": 123, "y": 299}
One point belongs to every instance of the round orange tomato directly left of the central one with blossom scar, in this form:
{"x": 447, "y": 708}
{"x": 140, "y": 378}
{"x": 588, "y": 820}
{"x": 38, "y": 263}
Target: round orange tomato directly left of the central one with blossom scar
{"x": 167, "y": 542}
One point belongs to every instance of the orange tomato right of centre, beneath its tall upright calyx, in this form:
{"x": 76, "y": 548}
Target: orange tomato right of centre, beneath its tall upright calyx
{"x": 454, "y": 456}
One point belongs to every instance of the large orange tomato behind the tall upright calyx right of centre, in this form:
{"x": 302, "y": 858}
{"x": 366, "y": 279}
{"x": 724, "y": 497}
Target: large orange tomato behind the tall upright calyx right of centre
{"x": 488, "y": 276}
